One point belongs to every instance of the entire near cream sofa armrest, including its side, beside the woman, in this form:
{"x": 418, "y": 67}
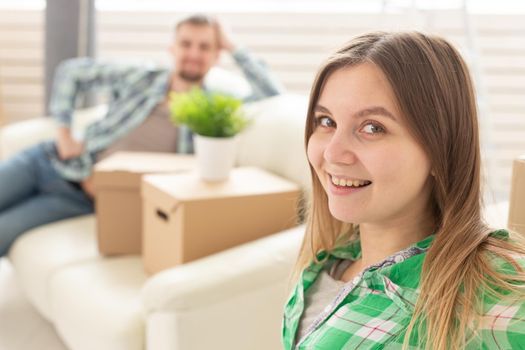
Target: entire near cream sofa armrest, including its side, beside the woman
{"x": 230, "y": 300}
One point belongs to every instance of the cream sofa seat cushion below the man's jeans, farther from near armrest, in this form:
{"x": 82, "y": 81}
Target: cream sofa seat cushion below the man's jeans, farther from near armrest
{"x": 41, "y": 252}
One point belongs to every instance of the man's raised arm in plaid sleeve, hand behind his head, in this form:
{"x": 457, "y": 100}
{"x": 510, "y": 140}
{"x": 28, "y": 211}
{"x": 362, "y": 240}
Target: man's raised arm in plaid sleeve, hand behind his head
{"x": 262, "y": 82}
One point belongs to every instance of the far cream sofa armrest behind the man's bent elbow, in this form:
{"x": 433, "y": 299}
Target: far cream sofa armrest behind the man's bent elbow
{"x": 20, "y": 135}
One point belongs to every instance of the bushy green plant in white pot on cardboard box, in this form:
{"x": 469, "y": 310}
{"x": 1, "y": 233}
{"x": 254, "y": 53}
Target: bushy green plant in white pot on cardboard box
{"x": 216, "y": 120}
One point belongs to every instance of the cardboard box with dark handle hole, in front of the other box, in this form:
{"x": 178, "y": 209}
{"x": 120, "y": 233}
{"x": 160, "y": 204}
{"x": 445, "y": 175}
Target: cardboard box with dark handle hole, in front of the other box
{"x": 186, "y": 218}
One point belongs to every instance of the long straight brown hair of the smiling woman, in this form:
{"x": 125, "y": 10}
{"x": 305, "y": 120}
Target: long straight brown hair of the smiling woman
{"x": 435, "y": 94}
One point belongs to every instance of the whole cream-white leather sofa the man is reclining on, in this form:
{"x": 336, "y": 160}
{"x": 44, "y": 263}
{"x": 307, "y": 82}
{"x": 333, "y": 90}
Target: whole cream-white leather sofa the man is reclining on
{"x": 230, "y": 300}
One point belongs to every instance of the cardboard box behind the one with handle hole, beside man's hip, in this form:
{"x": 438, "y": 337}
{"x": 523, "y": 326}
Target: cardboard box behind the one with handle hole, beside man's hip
{"x": 118, "y": 204}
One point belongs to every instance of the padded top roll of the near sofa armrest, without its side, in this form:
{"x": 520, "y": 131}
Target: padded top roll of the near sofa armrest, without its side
{"x": 224, "y": 275}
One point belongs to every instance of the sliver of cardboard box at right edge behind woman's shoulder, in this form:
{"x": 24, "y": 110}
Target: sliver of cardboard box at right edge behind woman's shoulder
{"x": 517, "y": 197}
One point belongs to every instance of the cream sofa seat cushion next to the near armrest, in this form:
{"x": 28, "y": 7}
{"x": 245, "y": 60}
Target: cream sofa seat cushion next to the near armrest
{"x": 96, "y": 304}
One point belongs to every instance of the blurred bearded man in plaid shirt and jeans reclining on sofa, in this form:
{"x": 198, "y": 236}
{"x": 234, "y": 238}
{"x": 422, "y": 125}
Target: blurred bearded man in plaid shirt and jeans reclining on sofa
{"x": 52, "y": 181}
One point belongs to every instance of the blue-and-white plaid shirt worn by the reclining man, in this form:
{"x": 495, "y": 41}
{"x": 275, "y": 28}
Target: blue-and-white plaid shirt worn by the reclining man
{"x": 133, "y": 92}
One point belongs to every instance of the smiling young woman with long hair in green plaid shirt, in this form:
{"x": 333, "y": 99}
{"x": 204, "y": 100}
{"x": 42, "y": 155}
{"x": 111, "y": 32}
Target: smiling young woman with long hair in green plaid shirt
{"x": 396, "y": 253}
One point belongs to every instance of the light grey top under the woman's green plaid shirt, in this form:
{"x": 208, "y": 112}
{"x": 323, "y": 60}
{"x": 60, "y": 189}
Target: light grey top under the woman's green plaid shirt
{"x": 321, "y": 293}
